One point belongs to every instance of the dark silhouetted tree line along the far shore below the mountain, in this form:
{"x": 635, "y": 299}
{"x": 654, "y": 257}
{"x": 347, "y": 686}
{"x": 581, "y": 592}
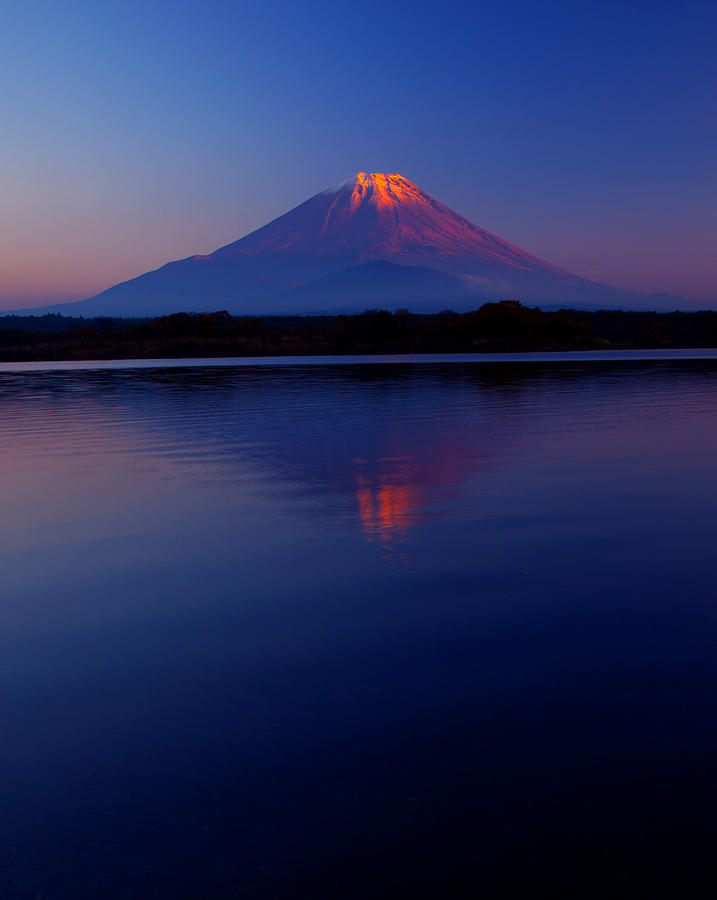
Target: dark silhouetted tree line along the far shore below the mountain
{"x": 496, "y": 327}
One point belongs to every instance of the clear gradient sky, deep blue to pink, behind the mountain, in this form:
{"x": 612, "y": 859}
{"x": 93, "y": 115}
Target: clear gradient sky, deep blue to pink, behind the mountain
{"x": 138, "y": 132}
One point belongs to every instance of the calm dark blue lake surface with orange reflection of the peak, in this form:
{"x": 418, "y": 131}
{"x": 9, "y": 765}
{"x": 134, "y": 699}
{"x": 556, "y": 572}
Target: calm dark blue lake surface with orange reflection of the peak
{"x": 357, "y": 630}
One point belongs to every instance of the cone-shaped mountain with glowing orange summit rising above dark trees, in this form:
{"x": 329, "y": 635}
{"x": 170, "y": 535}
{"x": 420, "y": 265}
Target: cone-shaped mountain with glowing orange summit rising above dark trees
{"x": 374, "y": 240}
